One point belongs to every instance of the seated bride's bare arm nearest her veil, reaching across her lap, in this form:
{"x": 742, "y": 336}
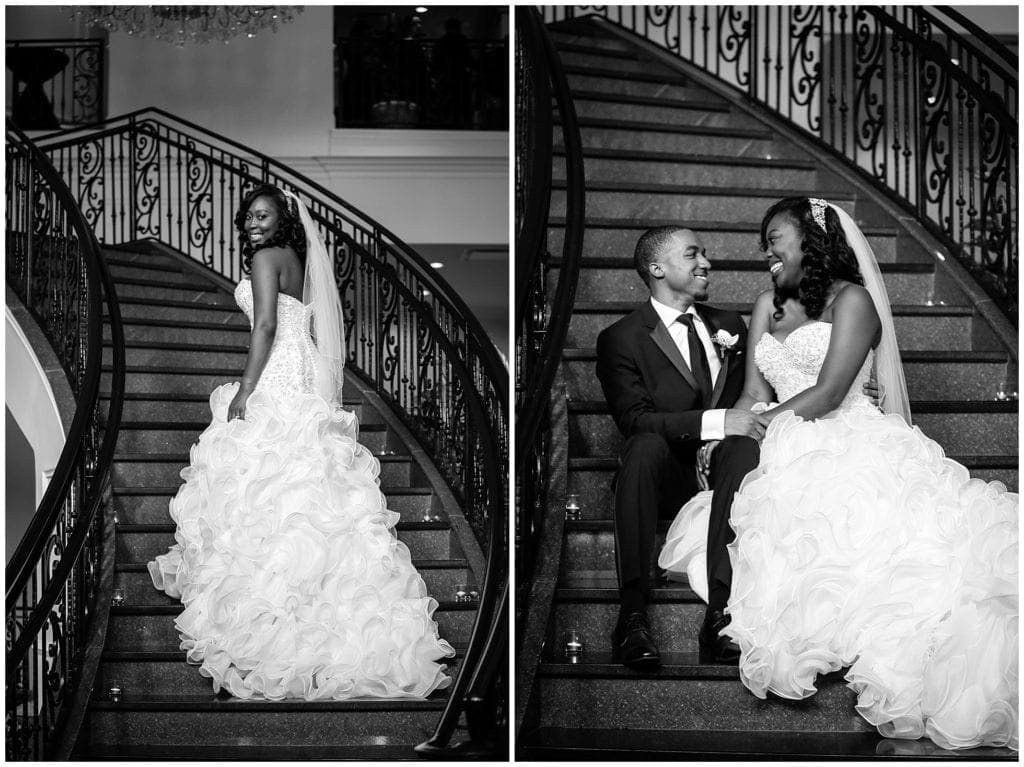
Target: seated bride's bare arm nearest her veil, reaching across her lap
{"x": 856, "y": 329}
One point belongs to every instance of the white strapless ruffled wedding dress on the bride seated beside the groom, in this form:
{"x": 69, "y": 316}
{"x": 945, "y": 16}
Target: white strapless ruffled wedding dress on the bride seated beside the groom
{"x": 861, "y": 545}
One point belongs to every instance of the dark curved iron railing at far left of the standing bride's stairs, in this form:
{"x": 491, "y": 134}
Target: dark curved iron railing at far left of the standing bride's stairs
{"x": 55, "y": 268}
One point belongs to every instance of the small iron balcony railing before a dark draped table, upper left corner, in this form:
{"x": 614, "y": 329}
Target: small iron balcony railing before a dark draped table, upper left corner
{"x": 58, "y": 82}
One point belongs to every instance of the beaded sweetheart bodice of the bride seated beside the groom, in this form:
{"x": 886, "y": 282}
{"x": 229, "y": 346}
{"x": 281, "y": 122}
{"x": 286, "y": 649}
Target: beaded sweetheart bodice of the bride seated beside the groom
{"x": 793, "y": 366}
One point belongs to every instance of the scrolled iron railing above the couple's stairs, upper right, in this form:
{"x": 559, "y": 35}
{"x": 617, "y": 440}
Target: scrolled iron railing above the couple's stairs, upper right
{"x": 919, "y": 109}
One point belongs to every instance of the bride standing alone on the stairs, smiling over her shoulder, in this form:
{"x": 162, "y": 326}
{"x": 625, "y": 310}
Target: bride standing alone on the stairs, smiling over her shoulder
{"x": 293, "y": 581}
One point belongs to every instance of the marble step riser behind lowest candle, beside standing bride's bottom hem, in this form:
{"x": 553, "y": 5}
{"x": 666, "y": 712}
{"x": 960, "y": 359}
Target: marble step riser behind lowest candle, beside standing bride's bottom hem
{"x": 159, "y": 674}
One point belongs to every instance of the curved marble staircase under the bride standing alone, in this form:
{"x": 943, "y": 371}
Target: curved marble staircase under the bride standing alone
{"x": 184, "y": 337}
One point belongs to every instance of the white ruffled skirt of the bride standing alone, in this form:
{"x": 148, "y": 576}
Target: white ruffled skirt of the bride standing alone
{"x": 293, "y": 581}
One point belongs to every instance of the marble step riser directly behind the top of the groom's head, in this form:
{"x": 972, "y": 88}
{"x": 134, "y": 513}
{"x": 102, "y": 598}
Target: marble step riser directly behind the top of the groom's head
{"x": 612, "y": 238}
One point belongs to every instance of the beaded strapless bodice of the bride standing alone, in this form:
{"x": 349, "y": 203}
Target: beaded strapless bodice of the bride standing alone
{"x": 291, "y": 366}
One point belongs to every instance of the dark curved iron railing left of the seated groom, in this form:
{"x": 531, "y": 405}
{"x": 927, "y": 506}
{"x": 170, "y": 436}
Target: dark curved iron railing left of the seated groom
{"x": 540, "y": 335}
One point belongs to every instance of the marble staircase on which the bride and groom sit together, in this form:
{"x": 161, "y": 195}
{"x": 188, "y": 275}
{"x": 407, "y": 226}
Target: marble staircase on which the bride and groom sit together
{"x": 660, "y": 148}
